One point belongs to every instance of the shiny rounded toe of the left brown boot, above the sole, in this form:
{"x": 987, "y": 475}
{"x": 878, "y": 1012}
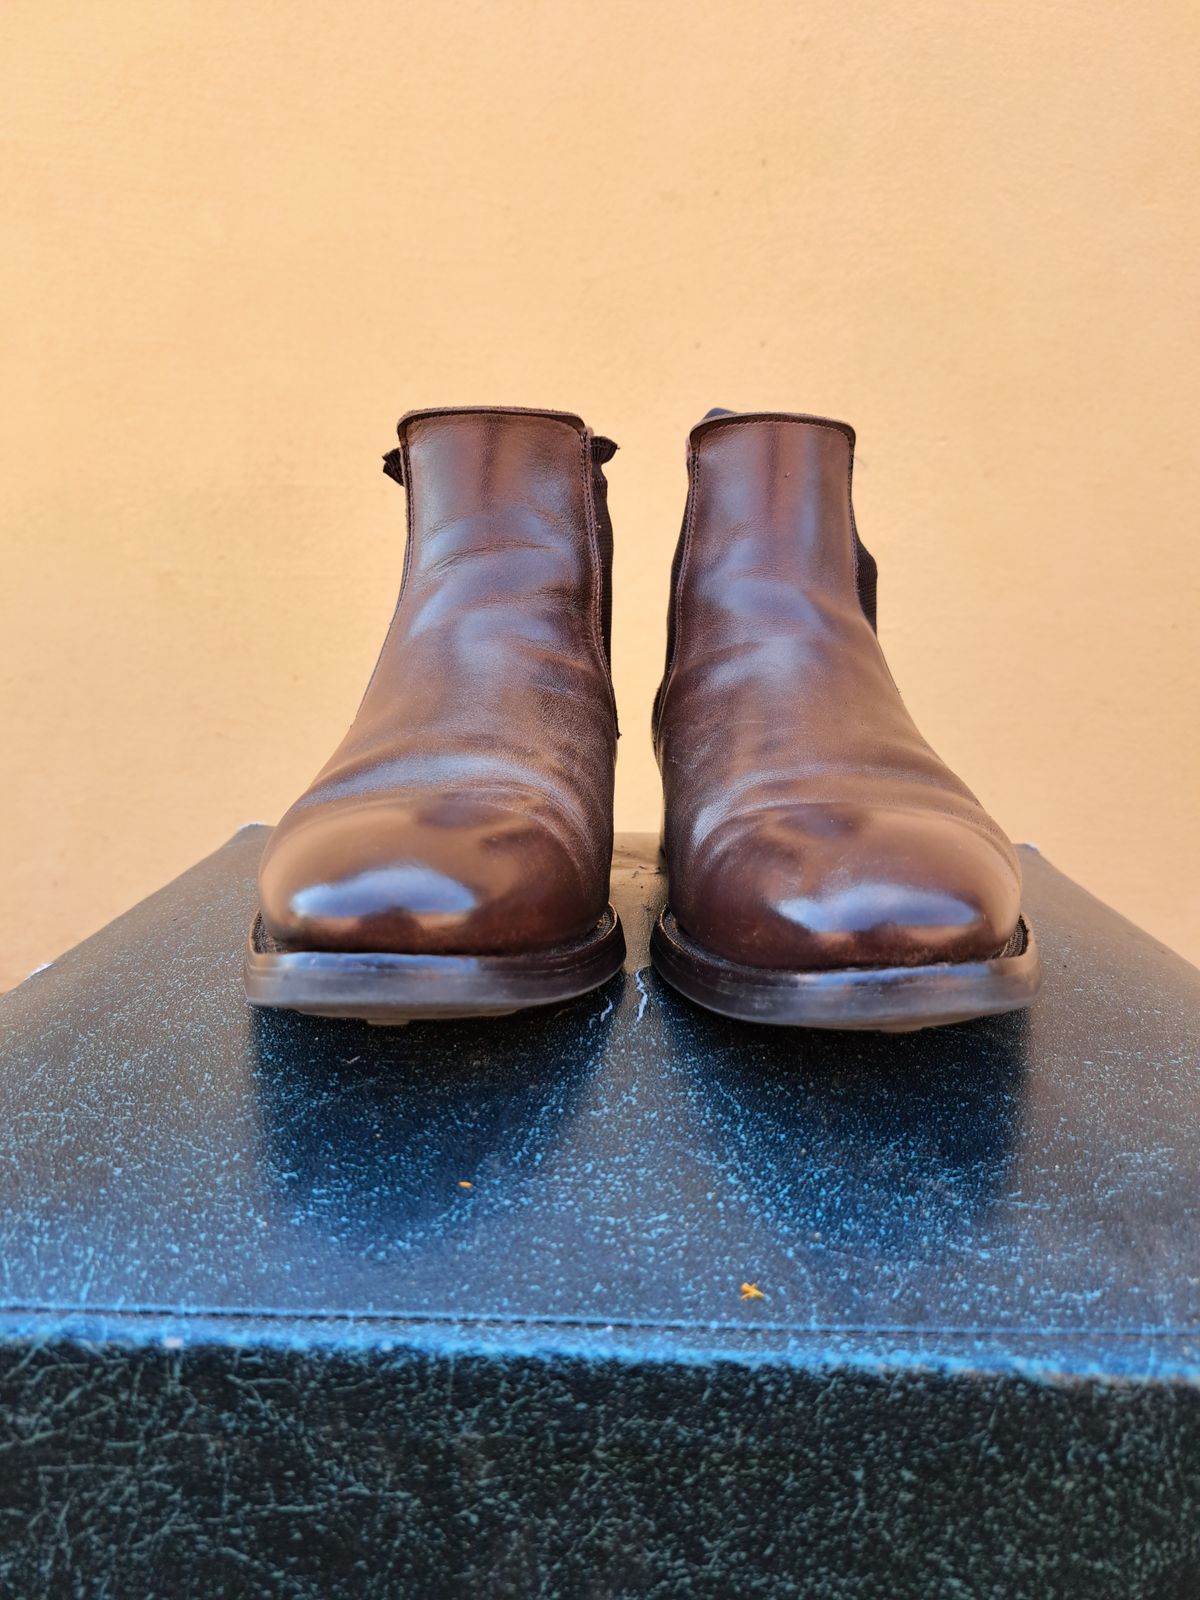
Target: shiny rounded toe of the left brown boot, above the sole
{"x": 434, "y": 876}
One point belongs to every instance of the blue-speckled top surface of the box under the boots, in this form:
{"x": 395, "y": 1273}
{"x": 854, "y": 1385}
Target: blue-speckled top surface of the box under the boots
{"x": 609, "y": 1174}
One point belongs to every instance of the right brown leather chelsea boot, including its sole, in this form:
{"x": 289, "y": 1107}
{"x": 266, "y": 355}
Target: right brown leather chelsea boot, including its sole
{"x": 826, "y": 870}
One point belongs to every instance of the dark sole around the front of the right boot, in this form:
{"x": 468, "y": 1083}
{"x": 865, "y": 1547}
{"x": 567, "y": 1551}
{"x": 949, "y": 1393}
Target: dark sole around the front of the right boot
{"x": 886, "y": 999}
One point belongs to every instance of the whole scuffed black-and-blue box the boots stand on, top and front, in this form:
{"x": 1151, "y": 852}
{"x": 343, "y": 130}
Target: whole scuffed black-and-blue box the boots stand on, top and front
{"x": 255, "y": 1329}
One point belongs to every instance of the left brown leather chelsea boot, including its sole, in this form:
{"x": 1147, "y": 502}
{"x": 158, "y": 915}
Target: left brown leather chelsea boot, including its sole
{"x": 452, "y": 858}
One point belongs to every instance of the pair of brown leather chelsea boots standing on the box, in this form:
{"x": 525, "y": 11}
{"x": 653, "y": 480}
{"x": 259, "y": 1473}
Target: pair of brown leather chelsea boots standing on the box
{"x": 454, "y": 857}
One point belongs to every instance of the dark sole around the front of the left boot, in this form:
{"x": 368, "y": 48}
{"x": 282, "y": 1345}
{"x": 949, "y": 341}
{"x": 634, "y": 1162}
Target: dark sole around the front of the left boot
{"x": 393, "y": 990}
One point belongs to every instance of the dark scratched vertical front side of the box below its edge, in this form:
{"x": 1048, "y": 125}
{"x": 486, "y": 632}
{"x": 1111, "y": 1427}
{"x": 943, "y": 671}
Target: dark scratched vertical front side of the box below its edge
{"x": 266, "y": 1473}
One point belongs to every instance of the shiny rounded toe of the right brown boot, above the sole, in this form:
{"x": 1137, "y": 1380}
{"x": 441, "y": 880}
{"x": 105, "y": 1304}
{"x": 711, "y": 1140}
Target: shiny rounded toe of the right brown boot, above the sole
{"x": 838, "y": 887}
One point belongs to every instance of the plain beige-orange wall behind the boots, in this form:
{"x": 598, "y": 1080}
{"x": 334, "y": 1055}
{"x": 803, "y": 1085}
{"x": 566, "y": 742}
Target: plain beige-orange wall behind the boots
{"x": 242, "y": 238}
